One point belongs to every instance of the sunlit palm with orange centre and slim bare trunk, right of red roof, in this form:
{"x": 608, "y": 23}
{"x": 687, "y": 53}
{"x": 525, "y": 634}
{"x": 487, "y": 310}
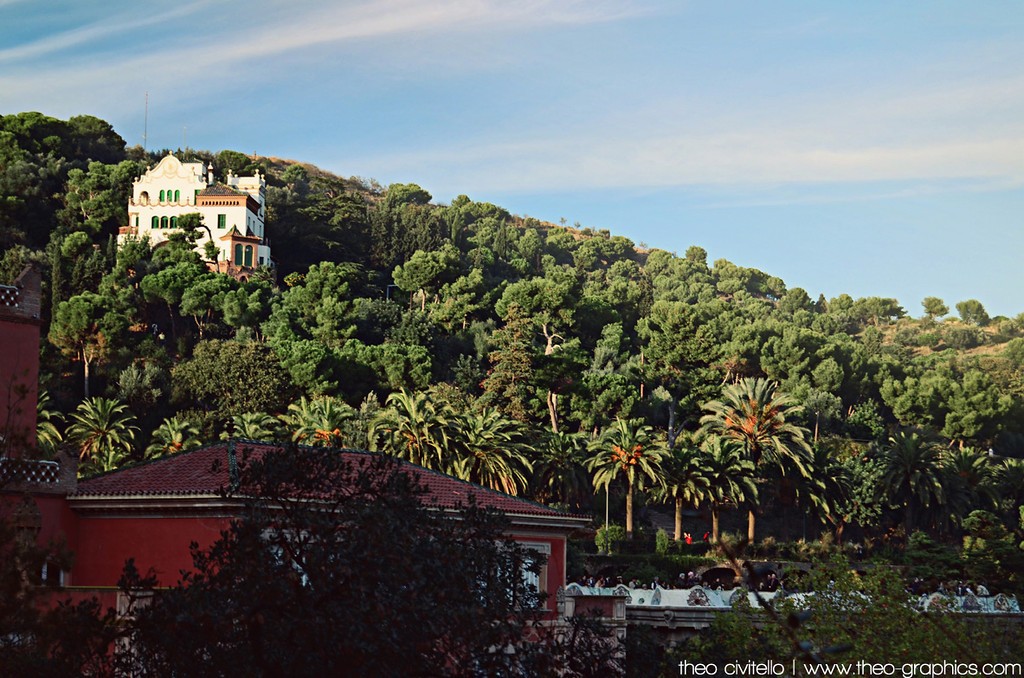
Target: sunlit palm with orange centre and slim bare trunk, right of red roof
{"x": 628, "y": 450}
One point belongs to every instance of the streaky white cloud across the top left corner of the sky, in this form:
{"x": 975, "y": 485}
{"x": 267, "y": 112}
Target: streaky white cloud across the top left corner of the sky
{"x": 48, "y": 74}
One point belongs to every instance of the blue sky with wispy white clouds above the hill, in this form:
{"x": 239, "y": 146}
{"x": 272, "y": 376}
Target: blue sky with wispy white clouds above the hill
{"x": 869, "y": 148}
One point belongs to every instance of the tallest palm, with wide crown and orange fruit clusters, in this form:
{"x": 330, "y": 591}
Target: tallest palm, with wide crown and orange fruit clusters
{"x": 753, "y": 413}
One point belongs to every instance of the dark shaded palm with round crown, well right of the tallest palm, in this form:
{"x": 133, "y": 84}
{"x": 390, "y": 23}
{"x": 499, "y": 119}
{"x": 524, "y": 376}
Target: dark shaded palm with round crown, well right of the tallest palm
{"x": 913, "y": 475}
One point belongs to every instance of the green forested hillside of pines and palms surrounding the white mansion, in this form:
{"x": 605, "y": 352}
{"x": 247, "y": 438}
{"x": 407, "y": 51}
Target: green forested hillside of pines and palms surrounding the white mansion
{"x": 492, "y": 347}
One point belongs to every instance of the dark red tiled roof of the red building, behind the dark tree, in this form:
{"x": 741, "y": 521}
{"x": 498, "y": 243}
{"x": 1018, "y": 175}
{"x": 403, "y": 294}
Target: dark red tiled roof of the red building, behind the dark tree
{"x": 205, "y": 473}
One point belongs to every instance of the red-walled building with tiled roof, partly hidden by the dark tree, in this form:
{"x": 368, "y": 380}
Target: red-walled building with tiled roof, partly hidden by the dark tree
{"x": 152, "y": 513}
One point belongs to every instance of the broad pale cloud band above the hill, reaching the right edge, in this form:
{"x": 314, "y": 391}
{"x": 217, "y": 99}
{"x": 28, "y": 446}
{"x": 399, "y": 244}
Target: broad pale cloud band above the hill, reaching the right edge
{"x": 948, "y": 132}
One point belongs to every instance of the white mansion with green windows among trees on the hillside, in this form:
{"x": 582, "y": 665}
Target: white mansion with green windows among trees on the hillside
{"x": 233, "y": 213}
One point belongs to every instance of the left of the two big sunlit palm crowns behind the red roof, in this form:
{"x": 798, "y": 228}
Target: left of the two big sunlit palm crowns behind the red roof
{"x": 415, "y": 429}
